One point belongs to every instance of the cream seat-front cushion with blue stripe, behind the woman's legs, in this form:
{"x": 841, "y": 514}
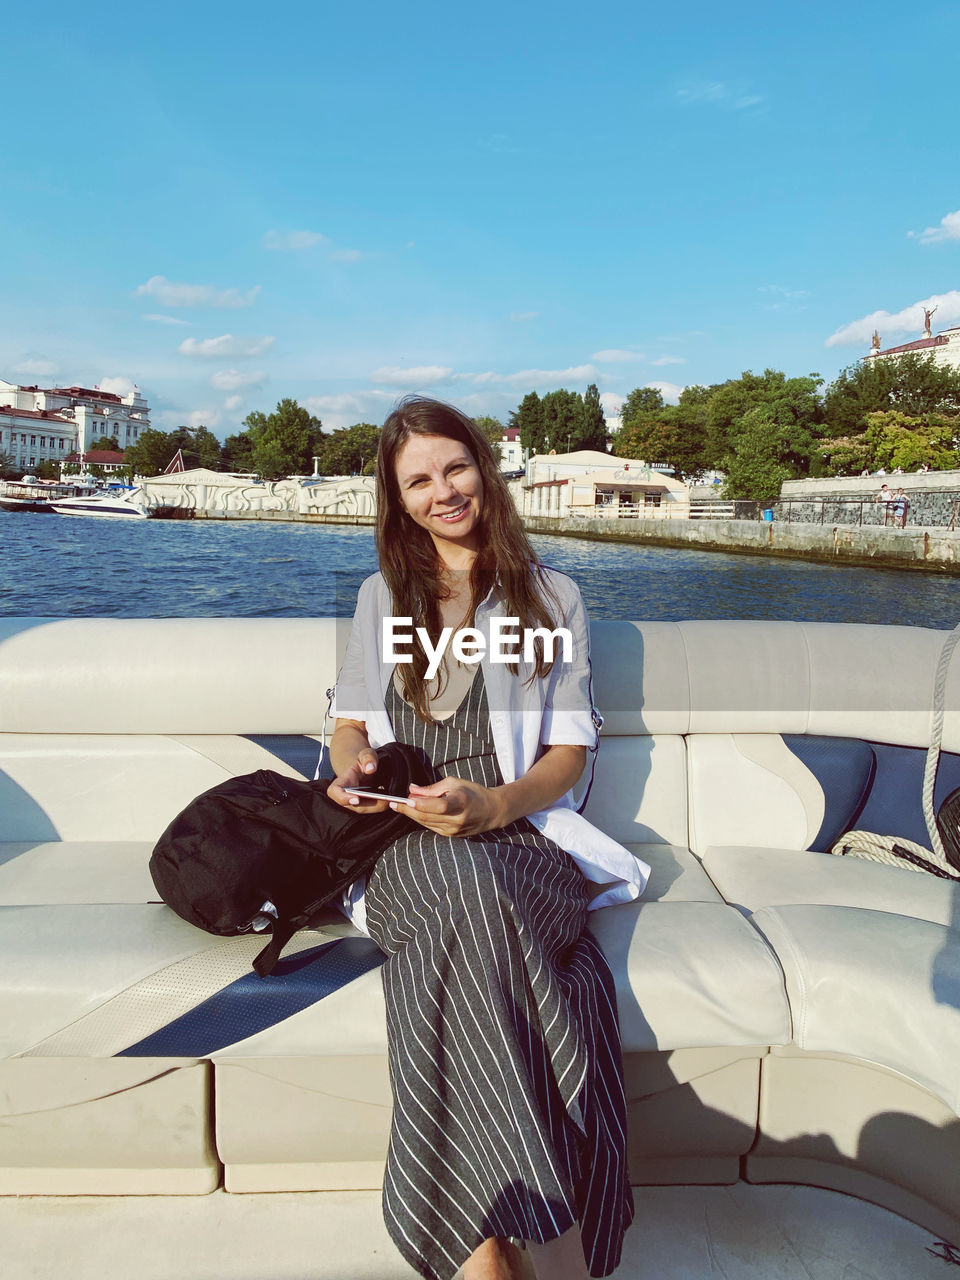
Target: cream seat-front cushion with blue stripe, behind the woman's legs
{"x": 134, "y": 979}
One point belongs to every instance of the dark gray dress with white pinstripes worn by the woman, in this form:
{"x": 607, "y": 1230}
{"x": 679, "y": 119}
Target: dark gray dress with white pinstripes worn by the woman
{"x": 504, "y": 1040}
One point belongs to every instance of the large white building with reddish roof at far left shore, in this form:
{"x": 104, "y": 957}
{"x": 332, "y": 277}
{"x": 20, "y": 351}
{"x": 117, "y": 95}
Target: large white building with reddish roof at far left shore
{"x": 48, "y": 424}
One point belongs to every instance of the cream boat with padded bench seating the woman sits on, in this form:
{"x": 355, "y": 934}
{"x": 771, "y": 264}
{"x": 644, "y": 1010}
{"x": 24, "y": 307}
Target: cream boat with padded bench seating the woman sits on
{"x": 790, "y": 1020}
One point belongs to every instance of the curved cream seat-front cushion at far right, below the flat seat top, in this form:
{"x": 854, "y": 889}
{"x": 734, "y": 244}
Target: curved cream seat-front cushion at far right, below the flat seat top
{"x": 875, "y": 986}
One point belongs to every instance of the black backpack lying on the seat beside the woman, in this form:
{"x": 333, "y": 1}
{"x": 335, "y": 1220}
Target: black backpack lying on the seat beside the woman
{"x": 264, "y": 852}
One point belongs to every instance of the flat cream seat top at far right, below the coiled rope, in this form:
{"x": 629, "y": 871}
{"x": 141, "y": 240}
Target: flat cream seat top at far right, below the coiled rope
{"x": 752, "y": 879}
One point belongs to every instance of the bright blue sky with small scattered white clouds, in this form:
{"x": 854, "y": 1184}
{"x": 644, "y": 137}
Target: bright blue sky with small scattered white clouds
{"x": 230, "y": 204}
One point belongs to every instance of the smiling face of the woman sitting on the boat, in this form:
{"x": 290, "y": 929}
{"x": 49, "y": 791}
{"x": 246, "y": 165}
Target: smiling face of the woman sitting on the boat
{"x": 442, "y": 491}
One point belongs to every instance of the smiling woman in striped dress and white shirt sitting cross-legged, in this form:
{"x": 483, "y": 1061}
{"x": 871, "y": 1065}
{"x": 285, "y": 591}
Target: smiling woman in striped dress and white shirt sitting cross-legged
{"x": 505, "y": 1053}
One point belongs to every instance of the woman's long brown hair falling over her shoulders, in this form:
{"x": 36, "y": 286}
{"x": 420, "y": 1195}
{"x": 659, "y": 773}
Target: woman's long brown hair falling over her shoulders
{"x": 409, "y": 560}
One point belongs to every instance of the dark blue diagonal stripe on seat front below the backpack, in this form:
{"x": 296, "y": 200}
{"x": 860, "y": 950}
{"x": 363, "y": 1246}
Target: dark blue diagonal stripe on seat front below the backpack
{"x": 252, "y": 1004}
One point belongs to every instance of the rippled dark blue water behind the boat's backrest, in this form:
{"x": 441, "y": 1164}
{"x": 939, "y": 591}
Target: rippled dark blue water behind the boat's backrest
{"x": 52, "y": 566}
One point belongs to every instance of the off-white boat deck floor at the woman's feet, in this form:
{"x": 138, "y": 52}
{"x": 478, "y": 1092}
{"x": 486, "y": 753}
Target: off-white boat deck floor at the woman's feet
{"x": 680, "y": 1233}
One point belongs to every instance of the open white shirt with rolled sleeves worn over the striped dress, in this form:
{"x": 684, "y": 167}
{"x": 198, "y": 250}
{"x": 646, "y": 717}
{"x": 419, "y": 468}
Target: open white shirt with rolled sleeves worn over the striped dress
{"x": 524, "y": 716}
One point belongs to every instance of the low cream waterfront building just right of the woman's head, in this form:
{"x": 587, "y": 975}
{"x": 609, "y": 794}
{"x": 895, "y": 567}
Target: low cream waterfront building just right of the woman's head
{"x": 591, "y": 483}
